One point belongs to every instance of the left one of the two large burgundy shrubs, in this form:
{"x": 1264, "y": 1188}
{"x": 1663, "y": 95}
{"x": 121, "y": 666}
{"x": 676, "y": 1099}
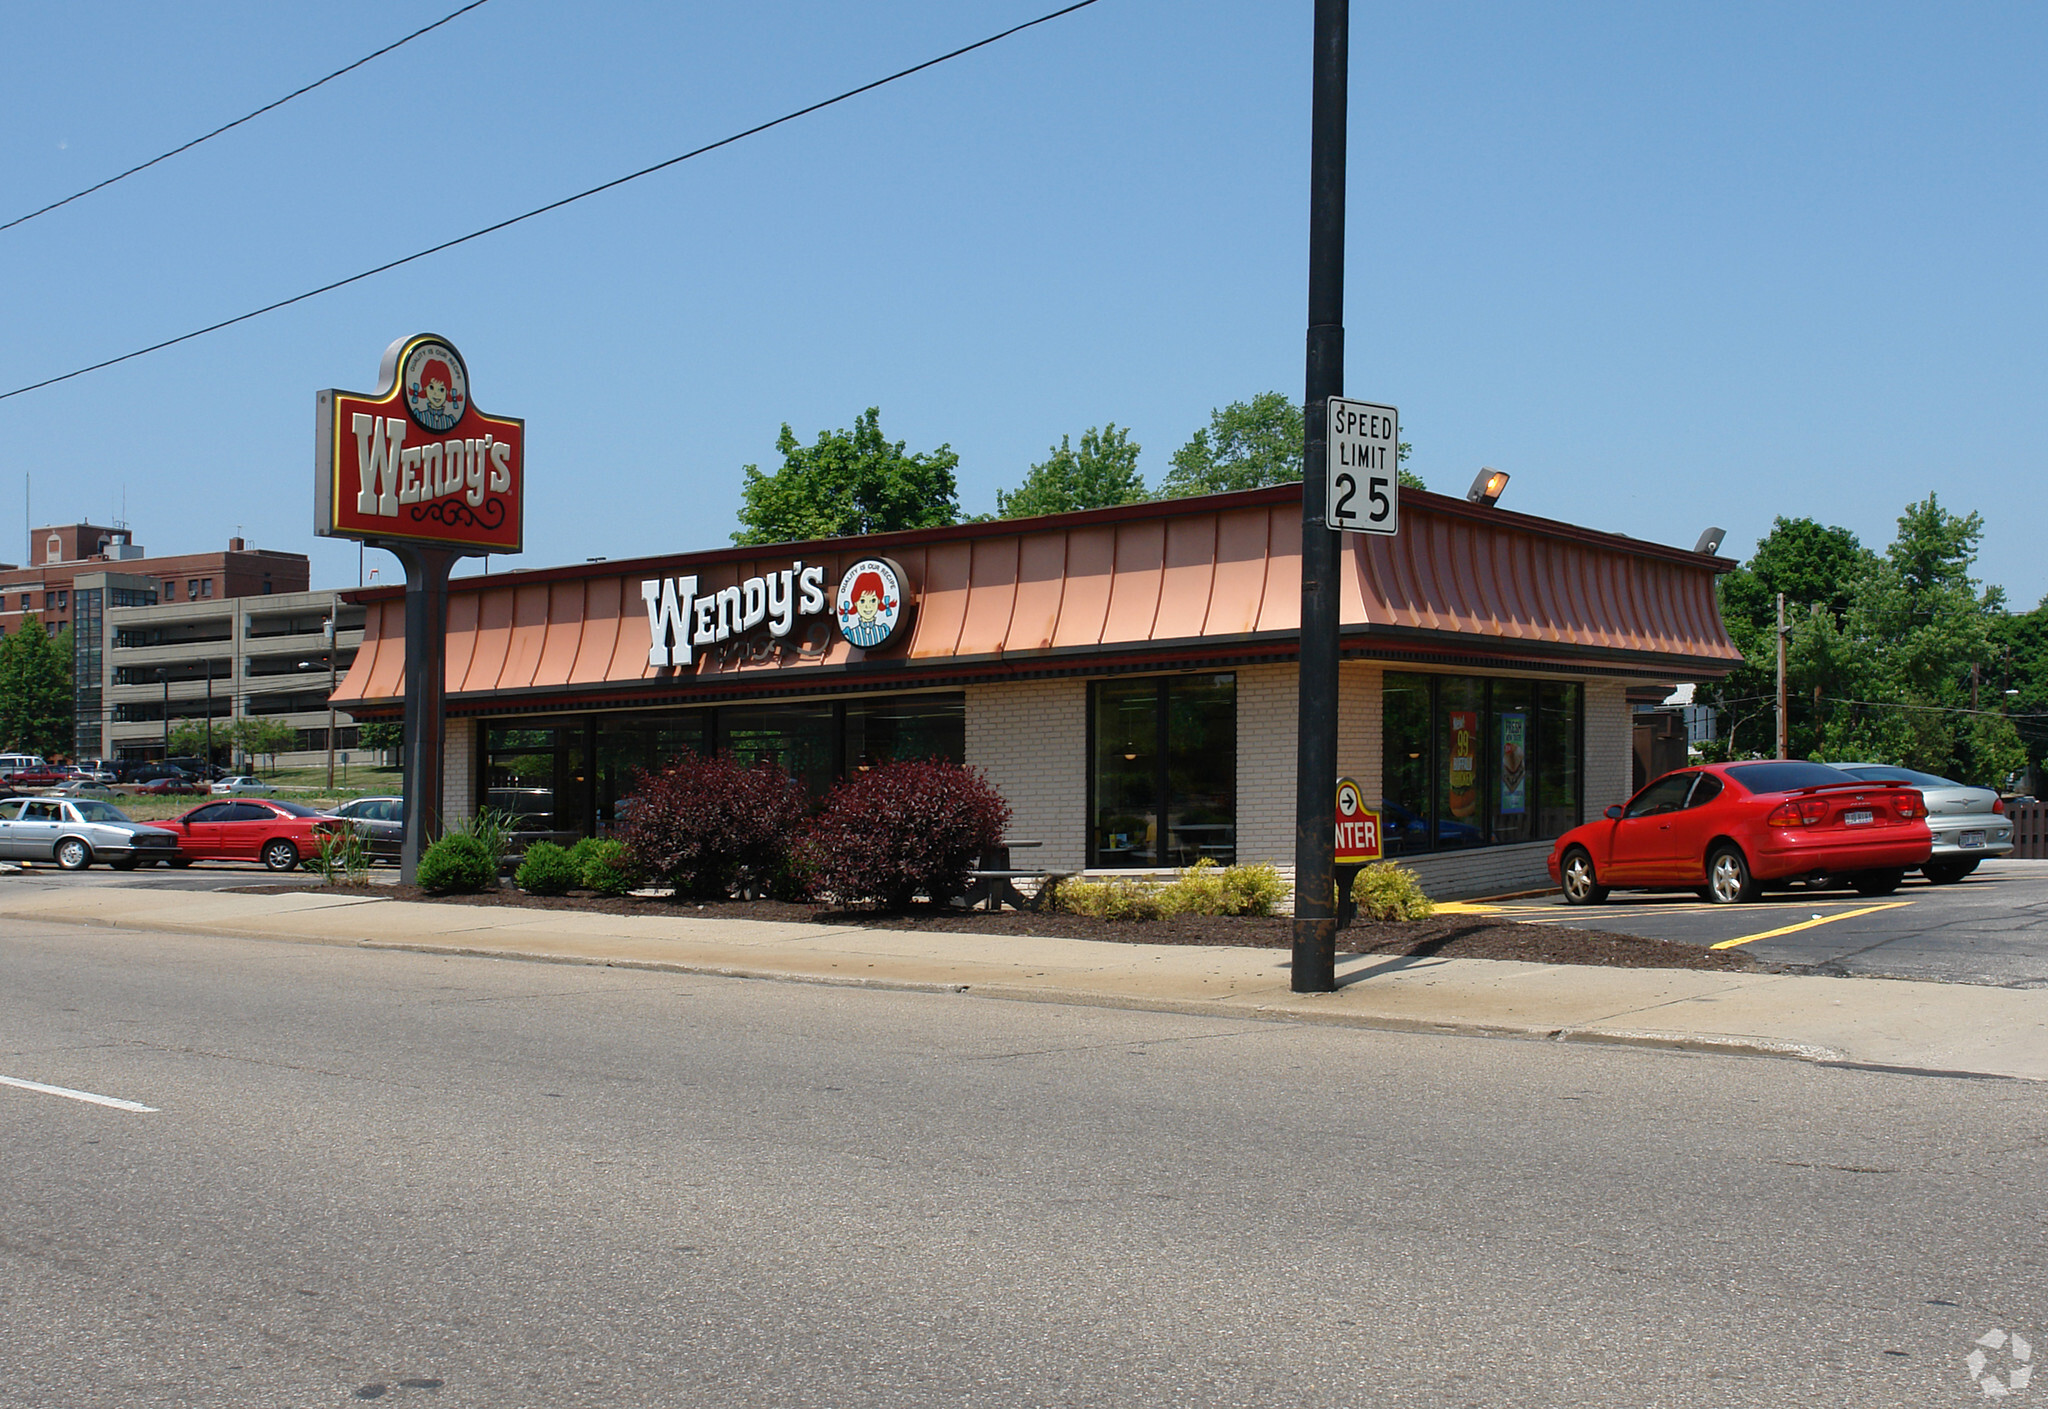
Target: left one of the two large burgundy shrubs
{"x": 706, "y": 826}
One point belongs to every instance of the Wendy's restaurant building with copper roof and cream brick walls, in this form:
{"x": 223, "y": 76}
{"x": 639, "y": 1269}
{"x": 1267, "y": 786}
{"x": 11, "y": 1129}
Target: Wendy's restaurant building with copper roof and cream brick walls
{"x": 1125, "y": 677}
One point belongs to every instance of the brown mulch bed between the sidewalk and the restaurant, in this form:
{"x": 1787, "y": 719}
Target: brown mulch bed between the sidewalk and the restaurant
{"x": 1451, "y": 937}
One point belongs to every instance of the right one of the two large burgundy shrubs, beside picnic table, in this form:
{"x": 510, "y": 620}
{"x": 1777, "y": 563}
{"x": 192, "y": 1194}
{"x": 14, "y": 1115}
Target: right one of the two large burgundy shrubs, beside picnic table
{"x": 902, "y": 830}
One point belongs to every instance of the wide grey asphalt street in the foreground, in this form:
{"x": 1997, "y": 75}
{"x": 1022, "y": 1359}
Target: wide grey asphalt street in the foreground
{"x": 476, "y": 1183}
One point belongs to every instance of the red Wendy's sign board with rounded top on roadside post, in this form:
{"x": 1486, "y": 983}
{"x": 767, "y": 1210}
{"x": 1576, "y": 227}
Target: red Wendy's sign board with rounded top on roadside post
{"x": 419, "y": 462}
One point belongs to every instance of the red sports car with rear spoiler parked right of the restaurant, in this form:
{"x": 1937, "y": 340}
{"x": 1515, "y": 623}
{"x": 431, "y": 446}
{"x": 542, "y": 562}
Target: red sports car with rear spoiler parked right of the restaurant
{"x": 1732, "y": 828}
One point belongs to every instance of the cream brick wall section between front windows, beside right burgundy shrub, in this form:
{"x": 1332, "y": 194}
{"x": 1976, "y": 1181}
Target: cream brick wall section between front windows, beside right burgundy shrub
{"x": 1031, "y": 738}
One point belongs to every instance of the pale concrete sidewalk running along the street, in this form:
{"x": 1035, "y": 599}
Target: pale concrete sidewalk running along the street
{"x": 1924, "y": 1027}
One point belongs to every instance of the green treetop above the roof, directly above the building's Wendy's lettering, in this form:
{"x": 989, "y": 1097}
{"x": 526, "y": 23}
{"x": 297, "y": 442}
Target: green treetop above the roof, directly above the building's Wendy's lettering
{"x": 847, "y": 482}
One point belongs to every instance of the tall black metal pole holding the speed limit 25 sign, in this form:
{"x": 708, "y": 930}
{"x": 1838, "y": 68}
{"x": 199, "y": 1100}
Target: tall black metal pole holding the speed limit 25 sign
{"x": 1316, "y": 761}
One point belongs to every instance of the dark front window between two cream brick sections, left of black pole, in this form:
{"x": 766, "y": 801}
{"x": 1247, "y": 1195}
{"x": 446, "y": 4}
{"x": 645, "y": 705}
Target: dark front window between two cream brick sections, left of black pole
{"x": 1164, "y": 771}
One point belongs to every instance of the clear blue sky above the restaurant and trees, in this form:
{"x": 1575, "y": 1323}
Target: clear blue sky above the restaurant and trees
{"x": 1664, "y": 265}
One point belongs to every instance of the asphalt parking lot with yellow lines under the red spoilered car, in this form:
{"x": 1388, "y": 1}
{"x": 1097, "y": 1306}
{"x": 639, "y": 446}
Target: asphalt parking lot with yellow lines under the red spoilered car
{"x": 1990, "y": 929}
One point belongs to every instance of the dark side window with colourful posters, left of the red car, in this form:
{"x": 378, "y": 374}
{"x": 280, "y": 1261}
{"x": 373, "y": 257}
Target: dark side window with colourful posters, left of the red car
{"x": 1471, "y": 763}
